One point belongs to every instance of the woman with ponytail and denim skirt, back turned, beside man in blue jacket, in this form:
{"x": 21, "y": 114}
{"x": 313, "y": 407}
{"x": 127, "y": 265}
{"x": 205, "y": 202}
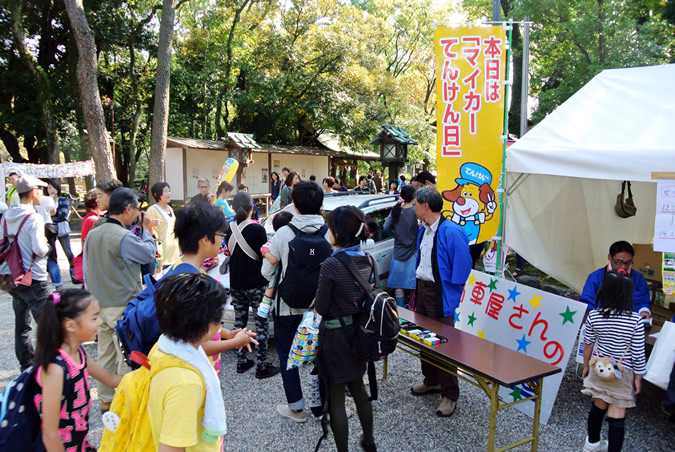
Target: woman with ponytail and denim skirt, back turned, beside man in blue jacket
{"x": 403, "y": 222}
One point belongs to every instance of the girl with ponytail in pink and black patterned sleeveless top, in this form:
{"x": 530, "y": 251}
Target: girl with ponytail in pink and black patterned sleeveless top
{"x": 68, "y": 319}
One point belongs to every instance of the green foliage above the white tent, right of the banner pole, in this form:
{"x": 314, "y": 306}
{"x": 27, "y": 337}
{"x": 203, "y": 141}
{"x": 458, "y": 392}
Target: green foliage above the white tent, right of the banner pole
{"x": 574, "y": 40}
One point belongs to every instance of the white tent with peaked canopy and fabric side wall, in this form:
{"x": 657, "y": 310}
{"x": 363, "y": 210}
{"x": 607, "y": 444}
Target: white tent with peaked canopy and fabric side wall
{"x": 563, "y": 176}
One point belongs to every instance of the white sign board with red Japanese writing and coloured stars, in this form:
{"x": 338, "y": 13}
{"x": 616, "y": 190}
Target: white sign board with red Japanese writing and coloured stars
{"x": 530, "y": 321}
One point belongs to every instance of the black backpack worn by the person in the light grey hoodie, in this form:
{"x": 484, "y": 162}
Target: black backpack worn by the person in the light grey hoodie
{"x": 306, "y": 252}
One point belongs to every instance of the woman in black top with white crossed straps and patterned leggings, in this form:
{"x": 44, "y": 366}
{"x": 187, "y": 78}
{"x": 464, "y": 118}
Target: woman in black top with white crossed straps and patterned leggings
{"x": 247, "y": 285}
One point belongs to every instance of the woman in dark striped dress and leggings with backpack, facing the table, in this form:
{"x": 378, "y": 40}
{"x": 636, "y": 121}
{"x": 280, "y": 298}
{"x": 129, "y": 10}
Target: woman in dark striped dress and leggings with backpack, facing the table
{"x": 339, "y": 294}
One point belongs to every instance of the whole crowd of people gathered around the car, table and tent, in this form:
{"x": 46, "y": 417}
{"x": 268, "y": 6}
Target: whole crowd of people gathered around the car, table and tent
{"x": 122, "y": 244}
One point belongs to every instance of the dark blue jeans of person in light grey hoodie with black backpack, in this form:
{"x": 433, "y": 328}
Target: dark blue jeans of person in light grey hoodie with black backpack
{"x": 284, "y": 332}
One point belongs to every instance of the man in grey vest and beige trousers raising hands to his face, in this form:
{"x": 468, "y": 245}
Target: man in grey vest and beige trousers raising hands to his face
{"x": 112, "y": 273}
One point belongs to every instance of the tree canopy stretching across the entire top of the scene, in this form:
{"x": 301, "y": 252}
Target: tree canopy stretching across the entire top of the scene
{"x": 287, "y": 70}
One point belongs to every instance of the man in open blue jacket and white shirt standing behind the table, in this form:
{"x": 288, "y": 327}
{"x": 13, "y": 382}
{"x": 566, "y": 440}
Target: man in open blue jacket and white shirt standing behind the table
{"x": 443, "y": 266}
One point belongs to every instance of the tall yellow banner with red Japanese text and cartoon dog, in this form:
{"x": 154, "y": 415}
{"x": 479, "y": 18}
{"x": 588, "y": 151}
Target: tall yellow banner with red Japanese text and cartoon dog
{"x": 470, "y": 68}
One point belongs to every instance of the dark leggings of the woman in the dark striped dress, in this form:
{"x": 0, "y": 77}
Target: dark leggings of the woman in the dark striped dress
{"x": 338, "y": 413}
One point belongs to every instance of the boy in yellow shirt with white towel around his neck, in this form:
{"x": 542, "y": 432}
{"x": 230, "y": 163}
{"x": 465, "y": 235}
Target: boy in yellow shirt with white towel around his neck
{"x": 185, "y": 406}
